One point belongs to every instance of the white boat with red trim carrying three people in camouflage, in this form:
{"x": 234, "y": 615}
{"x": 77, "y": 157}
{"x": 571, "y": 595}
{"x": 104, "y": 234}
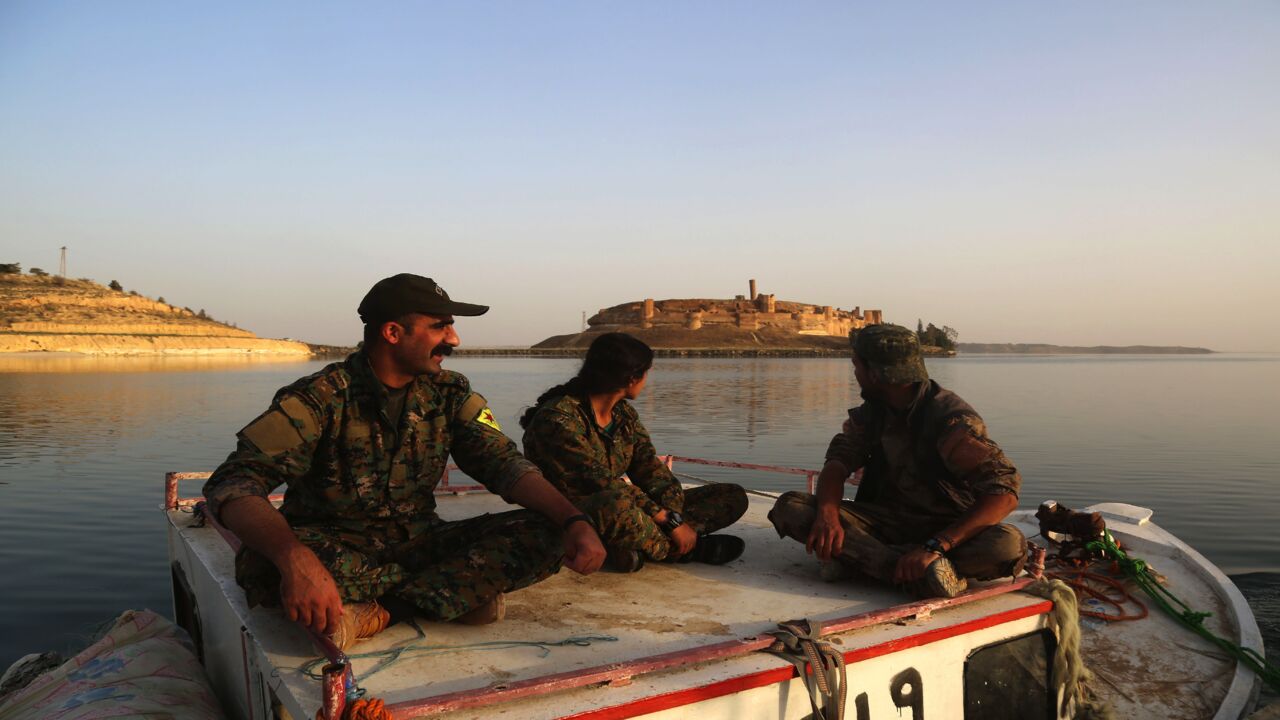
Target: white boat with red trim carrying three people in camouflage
{"x": 764, "y": 637}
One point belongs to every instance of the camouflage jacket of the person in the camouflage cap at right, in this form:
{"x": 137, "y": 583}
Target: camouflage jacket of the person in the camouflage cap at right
{"x": 935, "y": 459}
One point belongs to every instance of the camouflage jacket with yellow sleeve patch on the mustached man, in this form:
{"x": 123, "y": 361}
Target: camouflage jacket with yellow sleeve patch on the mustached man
{"x": 346, "y": 464}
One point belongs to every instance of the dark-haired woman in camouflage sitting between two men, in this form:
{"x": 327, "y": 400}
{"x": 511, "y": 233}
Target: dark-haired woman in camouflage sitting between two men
{"x": 586, "y": 436}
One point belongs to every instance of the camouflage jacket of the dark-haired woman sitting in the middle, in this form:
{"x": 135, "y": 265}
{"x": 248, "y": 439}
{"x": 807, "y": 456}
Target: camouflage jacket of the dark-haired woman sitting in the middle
{"x": 579, "y": 459}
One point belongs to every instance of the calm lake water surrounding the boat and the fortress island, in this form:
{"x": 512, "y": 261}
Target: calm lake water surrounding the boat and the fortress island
{"x": 85, "y": 444}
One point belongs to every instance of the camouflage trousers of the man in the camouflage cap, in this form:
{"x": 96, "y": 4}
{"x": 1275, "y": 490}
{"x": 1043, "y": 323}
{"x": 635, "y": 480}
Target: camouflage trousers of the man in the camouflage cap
{"x": 874, "y": 532}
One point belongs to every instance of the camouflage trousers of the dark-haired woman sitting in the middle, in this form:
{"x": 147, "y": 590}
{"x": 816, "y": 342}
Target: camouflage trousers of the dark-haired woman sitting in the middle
{"x": 624, "y": 526}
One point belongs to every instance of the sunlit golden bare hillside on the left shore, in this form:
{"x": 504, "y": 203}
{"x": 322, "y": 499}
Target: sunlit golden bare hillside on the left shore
{"x": 51, "y": 315}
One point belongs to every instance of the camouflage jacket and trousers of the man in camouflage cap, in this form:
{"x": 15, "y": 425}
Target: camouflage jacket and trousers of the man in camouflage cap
{"x": 909, "y": 493}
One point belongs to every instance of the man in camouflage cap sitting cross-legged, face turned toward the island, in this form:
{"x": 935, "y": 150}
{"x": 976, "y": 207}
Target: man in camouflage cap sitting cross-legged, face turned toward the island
{"x": 935, "y": 487}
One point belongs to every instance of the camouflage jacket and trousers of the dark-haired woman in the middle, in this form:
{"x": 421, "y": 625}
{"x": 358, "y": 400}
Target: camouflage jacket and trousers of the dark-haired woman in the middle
{"x": 587, "y": 464}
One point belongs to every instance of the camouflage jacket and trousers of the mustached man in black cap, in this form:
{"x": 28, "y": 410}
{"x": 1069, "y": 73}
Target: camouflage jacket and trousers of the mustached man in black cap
{"x": 360, "y": 491}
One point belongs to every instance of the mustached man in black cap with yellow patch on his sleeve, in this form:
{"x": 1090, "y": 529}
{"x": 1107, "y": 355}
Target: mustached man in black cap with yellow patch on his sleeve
{"x": 362, "y": 446}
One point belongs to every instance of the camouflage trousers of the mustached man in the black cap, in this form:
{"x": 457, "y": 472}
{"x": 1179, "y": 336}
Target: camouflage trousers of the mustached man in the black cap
{"x": 445, "y": 572}
